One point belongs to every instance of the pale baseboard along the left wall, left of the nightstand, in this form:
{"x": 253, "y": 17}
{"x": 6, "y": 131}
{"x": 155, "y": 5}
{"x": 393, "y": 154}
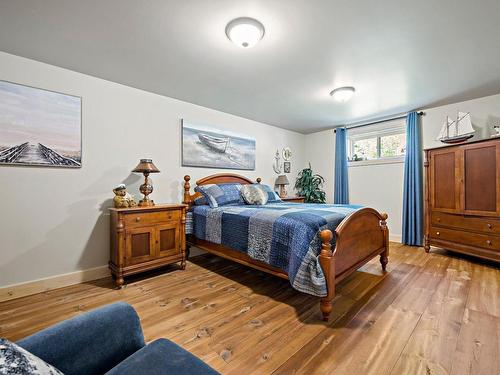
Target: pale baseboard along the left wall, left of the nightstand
{"x": 13, "y": 291}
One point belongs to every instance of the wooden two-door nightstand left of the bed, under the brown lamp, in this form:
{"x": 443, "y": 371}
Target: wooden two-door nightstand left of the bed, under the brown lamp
{"x": 145, "y": 238}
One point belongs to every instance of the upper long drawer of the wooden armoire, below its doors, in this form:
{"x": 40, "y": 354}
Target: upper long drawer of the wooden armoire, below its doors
{"x": 485, "y": 225}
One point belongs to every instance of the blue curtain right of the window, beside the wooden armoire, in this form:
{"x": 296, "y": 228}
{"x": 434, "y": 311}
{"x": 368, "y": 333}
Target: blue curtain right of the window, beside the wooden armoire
{"x": 413, "y": 184}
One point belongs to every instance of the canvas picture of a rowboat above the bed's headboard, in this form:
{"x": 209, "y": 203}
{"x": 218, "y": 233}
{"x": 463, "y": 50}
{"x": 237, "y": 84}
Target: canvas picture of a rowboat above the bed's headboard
{"x": 208, "y": 147}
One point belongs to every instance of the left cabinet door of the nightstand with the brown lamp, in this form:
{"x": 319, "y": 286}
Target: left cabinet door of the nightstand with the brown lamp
{"x": 140, "y": 245}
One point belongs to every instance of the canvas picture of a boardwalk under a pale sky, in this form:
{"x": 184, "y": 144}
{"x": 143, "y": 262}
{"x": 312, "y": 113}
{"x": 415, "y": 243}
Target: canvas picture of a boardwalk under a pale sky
{"x": 39, "y": 127}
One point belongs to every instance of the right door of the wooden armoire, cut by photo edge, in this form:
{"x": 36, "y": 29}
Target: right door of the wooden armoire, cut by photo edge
{"x": 481, "y": 179}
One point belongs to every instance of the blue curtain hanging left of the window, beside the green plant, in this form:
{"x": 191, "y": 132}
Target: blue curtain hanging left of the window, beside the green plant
{"x": 341, "y": 191}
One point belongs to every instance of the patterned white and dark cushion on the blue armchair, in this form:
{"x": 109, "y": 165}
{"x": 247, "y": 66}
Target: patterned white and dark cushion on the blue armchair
{"x": 15, "y": 360}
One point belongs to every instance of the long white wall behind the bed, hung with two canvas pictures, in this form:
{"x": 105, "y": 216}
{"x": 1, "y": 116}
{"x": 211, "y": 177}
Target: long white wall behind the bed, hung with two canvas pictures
{"x": 55, "y": 221}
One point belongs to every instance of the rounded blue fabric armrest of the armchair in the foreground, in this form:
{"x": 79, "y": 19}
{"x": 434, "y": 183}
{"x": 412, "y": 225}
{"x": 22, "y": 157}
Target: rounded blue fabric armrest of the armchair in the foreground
{"x": 91, "y": 343}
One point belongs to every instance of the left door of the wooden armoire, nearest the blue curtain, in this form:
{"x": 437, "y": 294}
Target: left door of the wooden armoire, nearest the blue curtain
{"x": 445, "y": 180}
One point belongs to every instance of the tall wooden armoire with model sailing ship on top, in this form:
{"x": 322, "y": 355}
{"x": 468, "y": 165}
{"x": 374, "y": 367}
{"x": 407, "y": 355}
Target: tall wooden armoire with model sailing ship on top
{"x": 462, "y": 198}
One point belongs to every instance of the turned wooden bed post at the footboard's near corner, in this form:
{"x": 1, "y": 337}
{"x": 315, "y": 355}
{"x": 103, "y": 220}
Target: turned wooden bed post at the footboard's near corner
{"x": 327, "y": 262}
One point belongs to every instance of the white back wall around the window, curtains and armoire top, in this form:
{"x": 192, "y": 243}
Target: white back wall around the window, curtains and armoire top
{"x": 381, "y": 186}
